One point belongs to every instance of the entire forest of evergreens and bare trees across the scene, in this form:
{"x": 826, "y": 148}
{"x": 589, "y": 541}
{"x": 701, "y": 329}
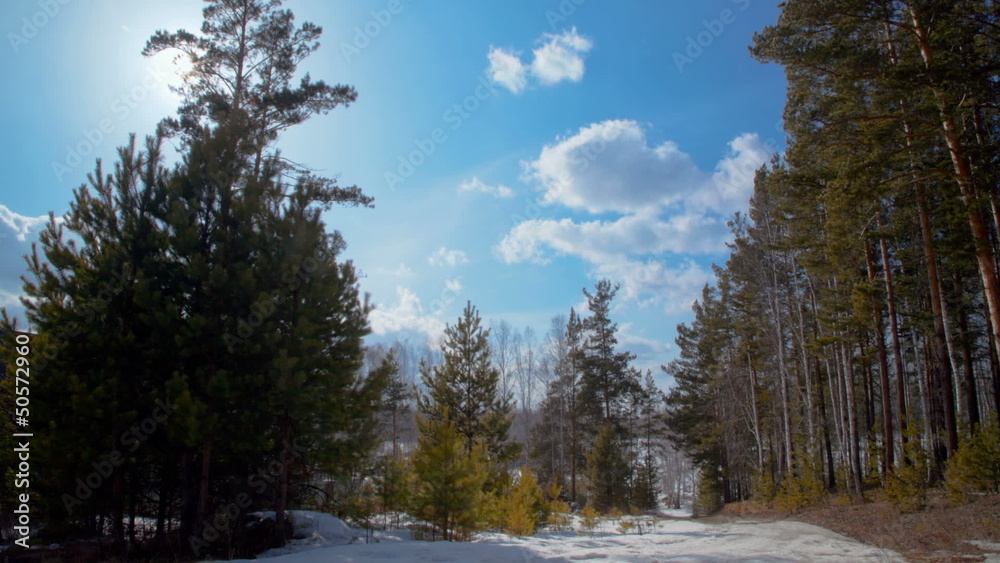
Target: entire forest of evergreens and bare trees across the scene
{"x": 199, "y": 353}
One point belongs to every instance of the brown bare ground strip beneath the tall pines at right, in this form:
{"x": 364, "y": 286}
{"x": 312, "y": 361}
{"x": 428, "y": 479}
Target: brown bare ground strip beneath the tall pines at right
{"x": 940, "y": 532}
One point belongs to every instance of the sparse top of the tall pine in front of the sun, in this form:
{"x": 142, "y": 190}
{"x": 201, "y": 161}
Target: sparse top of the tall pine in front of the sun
{"x": 245, "y": 62}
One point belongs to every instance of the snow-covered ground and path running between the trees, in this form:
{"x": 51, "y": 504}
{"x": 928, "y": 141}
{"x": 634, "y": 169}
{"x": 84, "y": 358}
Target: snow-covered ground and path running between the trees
{"x": 324, "y": 538}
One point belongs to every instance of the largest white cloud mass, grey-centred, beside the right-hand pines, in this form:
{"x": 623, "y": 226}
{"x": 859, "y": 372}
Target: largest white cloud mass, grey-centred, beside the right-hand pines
{"x": 669, "y": 210}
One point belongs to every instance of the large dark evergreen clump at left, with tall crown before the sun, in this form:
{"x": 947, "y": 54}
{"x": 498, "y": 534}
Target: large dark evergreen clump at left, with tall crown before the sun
{"x": 230, "y": 271}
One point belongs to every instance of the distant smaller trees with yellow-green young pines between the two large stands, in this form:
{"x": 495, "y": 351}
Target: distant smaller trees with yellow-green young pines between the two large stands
{"x": 595, "y": 439}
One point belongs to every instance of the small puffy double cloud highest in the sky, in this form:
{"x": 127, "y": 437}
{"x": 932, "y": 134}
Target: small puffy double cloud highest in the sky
{"x": 560, "y": 57}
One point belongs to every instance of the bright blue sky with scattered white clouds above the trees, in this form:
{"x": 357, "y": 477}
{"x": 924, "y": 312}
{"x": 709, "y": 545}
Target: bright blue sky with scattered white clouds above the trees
{"x": 518, "y": 151}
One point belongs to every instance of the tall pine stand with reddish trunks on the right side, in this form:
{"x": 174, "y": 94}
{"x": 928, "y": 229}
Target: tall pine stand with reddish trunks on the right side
{"x": 851, "y": 338}
